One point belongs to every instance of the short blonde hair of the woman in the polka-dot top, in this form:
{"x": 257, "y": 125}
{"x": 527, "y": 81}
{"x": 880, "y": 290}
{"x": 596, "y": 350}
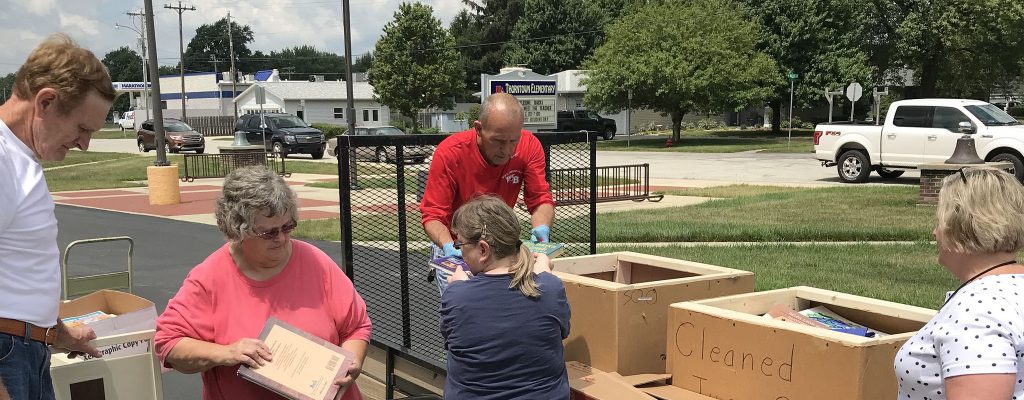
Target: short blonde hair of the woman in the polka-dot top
{"x": 986, "y": 214}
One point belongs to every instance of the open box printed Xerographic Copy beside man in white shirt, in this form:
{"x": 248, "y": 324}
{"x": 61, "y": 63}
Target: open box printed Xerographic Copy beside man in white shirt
{"x": 129, "y": 370}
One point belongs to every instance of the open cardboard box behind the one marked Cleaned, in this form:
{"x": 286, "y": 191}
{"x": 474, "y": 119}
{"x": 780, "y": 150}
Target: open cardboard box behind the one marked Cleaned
{"x": 621, "y": 301}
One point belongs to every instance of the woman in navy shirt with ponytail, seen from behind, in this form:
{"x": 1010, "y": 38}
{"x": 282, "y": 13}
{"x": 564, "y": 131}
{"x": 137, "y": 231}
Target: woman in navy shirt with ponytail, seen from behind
{"x": 503, "y": 327}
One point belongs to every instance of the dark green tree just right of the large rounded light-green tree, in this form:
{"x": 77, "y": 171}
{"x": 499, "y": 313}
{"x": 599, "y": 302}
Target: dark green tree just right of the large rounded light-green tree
{"x": 821, "y": 40}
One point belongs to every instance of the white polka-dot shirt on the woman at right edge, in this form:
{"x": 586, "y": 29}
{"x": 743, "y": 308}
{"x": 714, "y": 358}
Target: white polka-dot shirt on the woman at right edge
{"x": 980, "y": 331}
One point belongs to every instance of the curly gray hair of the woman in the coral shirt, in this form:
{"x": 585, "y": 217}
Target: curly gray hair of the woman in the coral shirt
{"x": 249, "y": 191}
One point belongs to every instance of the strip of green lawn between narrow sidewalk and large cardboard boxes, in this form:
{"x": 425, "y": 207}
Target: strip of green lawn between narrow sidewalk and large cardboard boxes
{"x": 903, "y": 274}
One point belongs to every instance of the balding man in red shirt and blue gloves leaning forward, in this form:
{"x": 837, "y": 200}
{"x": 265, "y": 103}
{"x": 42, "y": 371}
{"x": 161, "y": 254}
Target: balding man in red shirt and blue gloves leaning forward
{"x": 496, "y": 157}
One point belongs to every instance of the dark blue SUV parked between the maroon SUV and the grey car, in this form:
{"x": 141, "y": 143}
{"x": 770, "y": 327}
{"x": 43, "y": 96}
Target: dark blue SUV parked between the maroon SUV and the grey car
{"x": 284, "y": 134}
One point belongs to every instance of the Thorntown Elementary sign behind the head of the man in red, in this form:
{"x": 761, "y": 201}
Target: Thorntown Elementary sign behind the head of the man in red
{"x": 536, "y": 93}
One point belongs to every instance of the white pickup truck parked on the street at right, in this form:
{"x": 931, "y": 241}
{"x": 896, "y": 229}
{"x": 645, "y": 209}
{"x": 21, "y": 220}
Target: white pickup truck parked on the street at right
{"x": 917, "y": 132}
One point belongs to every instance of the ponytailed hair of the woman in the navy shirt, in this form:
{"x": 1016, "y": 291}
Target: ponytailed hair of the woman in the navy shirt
{"x": 488, "y": 218}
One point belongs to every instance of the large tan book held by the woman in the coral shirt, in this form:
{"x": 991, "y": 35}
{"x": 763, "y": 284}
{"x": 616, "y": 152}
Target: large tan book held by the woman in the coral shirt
{"x": 305, "y": 367}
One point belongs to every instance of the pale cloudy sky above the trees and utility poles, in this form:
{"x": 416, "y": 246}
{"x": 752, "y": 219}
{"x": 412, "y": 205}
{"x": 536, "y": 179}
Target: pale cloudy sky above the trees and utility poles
{"x": 276, "y": 24}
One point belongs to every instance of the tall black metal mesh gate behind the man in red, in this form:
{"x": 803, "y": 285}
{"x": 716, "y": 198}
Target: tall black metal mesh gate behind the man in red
{"x": 387, "y": 252}
